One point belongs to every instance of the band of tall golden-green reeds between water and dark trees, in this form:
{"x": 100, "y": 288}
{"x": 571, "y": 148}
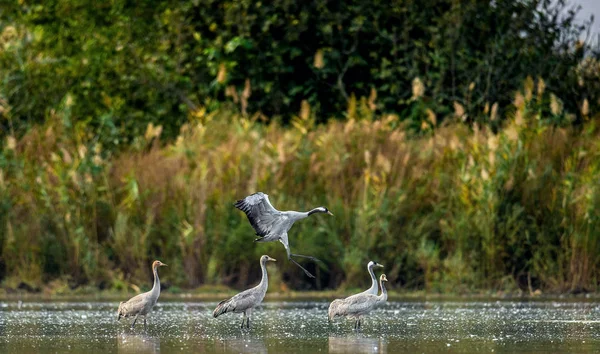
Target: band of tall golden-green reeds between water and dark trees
{"x": 454, "y": 210}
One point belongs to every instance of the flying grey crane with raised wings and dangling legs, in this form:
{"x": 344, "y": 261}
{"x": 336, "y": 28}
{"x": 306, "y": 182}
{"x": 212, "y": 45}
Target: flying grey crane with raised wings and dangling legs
{"x": 272, "y": 225}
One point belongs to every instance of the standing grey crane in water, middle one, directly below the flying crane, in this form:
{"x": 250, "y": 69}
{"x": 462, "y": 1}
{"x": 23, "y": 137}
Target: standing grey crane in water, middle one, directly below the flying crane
{"x": 246, "y": 300}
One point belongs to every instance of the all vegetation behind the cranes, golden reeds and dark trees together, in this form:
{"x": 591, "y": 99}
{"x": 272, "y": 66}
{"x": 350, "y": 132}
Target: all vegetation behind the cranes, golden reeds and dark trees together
{"x": 457, "y": 142}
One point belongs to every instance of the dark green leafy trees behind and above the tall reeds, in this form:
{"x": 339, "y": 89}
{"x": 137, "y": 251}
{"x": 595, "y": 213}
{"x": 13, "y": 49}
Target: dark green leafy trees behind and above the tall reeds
{"x": 125, "y": 64}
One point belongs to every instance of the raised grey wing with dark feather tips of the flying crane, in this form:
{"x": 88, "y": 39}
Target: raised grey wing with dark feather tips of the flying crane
{"x": 261, "y": 214}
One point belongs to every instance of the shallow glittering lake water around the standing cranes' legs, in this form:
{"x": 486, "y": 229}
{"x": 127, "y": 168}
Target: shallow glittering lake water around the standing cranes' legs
{"x": 302, "y": 327}
